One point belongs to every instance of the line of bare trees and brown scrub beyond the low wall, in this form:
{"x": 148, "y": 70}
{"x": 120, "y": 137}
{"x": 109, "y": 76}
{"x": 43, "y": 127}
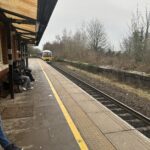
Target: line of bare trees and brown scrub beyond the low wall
{"x": 90, "y": 44}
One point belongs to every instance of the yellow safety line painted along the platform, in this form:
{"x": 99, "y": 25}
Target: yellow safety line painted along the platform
{"x": 70, "y": 122}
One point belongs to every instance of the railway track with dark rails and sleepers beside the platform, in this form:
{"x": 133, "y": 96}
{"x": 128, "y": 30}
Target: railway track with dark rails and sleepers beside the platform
{"x": 134, "y": 118}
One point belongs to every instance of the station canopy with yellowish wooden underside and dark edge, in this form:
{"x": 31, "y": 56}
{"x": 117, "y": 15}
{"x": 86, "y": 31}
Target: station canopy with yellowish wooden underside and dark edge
{"x": 28, "y": 17}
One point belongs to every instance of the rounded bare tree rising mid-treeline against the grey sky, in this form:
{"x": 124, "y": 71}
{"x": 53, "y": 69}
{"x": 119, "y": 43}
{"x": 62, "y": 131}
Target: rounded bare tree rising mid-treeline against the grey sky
{"x": 96, "y": 35}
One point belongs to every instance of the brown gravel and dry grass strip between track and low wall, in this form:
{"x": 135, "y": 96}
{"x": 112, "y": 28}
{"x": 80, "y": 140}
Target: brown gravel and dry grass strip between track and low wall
{"x": 134, "y": 100}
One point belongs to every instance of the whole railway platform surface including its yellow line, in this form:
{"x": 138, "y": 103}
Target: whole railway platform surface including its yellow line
{"x": 58, "y": 115}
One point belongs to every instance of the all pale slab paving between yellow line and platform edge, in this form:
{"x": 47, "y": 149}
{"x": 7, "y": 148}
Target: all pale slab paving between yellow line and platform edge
{"x": 100, "y": 129}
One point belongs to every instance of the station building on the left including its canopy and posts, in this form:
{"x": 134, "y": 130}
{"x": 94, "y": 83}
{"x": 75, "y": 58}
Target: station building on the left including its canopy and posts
{"x": 22, "y": 22}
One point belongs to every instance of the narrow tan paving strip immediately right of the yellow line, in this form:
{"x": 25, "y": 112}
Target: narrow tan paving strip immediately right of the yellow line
{"x": 91, "y": 134}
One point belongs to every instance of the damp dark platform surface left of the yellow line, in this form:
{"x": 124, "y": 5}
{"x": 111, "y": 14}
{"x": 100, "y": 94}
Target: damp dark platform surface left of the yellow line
{"x": 34, "y": 120}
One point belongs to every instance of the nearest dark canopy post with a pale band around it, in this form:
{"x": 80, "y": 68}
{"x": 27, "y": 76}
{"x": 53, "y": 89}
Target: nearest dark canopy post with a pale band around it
{"x": 10, "y": 60}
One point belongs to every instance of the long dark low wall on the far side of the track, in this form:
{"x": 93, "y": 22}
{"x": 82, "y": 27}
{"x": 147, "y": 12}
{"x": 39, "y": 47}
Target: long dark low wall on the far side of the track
{"x": 134, "y": 79}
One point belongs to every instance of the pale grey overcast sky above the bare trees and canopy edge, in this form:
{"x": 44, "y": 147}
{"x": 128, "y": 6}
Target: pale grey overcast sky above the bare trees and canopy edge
{"x": 115, "y": 15}
